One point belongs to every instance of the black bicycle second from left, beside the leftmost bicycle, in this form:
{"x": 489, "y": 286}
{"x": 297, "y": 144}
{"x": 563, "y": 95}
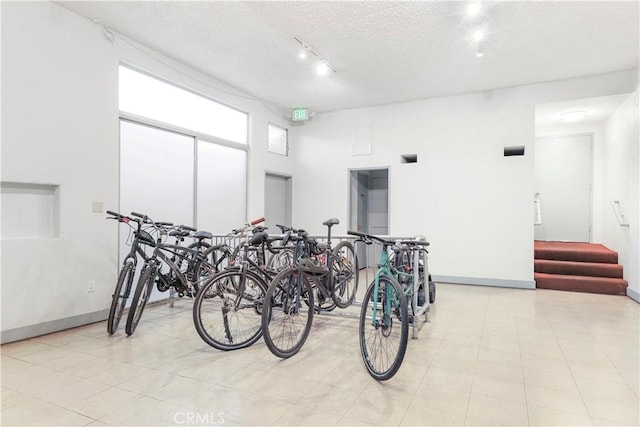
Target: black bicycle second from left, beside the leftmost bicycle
{"x": 187, "y": 268}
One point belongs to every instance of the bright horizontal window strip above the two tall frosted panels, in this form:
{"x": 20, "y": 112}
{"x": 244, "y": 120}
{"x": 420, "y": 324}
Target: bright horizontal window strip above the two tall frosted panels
{"x": 152, "y": 98}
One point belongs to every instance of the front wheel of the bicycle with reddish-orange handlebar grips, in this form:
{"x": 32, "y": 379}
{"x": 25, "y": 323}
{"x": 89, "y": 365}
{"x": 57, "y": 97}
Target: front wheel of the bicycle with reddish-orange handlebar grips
{"x": 226, "y": 312}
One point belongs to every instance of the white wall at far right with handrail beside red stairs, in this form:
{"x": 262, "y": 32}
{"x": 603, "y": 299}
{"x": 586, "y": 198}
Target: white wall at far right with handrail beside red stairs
{"x": 620, "y": 172}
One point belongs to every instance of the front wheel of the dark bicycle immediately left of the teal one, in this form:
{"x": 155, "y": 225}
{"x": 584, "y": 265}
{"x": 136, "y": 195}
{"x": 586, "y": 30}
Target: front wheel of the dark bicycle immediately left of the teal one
{"x": 288, "y": 313}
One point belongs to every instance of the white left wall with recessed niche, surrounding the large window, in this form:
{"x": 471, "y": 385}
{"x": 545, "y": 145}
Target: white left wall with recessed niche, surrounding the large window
{"x": 60, "y": 127}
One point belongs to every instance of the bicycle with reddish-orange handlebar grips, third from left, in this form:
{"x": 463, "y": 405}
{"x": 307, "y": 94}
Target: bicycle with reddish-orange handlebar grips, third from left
{"x": 227, "y": 310}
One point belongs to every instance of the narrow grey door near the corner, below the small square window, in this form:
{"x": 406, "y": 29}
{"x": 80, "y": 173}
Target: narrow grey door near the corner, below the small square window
{"x": 277, "y": 201}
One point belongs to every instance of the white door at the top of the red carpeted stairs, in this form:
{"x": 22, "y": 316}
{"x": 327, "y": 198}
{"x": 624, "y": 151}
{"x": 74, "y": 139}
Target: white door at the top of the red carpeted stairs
{"x": 563, "y": 183}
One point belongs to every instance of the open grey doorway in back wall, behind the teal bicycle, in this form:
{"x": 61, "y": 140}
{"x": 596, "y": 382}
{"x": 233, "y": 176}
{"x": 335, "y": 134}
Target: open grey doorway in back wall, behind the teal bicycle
{"x": 369, "y": 207}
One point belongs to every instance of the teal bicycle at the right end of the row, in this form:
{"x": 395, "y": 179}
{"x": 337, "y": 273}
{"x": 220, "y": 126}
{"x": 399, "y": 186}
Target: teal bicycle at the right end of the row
{"x": 384, "y": 316}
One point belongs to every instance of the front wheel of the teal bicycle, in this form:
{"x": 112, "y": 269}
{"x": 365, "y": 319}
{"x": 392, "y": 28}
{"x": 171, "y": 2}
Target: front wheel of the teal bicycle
{"x": 384, "y": 331}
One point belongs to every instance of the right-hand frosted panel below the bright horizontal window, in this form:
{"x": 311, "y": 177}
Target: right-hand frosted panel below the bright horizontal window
{"x": 222, "y": 187}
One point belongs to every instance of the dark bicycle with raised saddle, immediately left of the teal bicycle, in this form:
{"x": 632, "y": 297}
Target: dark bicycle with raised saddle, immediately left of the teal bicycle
{"x": 320, "y": 274}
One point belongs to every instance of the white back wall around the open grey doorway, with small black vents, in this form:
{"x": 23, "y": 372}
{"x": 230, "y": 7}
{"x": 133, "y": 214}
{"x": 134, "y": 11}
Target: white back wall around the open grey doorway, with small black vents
{"x": 473, "y": 204}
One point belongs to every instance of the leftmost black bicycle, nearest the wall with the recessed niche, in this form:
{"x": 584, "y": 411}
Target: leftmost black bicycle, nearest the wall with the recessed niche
{"x": 124, "y": 283}
